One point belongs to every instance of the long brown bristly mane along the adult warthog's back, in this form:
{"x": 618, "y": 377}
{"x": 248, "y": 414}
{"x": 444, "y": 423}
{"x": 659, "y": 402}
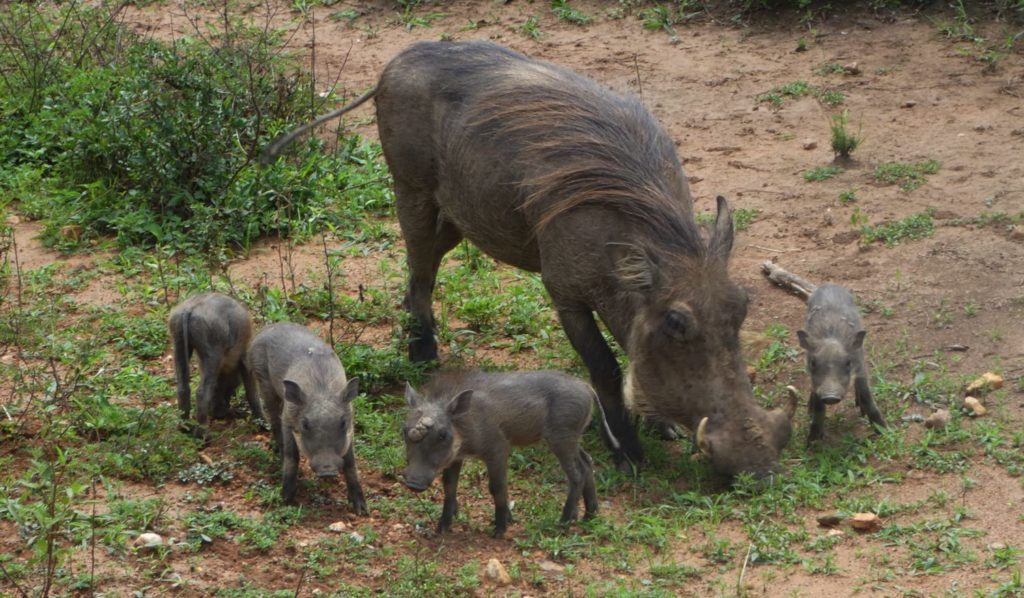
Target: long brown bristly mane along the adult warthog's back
{"x": 587, "y": 147}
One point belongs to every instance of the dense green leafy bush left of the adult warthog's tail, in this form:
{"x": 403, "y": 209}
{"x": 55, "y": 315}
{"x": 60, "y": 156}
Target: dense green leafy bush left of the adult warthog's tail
{"x": 156, "y": 143}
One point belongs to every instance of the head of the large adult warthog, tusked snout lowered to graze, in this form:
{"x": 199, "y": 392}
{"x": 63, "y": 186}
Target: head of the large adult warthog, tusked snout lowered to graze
{"x": 686, "y": 362}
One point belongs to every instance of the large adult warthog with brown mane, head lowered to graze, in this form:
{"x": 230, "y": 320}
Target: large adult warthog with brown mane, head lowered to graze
{"x": 548, "y": 172}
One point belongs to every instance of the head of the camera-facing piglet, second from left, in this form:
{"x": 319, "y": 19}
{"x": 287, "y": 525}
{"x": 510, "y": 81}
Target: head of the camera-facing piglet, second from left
{"x": 322, "y": 417}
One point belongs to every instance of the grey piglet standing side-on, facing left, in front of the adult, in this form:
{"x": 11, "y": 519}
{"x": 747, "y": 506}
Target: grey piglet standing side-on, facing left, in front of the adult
{"x": 480, "y": 415}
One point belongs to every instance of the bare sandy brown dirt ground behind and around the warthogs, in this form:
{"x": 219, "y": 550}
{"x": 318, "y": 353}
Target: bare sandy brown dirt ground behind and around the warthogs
{"x": 913, "y": 94}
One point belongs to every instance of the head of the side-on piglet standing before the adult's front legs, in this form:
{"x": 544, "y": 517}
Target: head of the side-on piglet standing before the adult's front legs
{"x": 432, "y": 439}
